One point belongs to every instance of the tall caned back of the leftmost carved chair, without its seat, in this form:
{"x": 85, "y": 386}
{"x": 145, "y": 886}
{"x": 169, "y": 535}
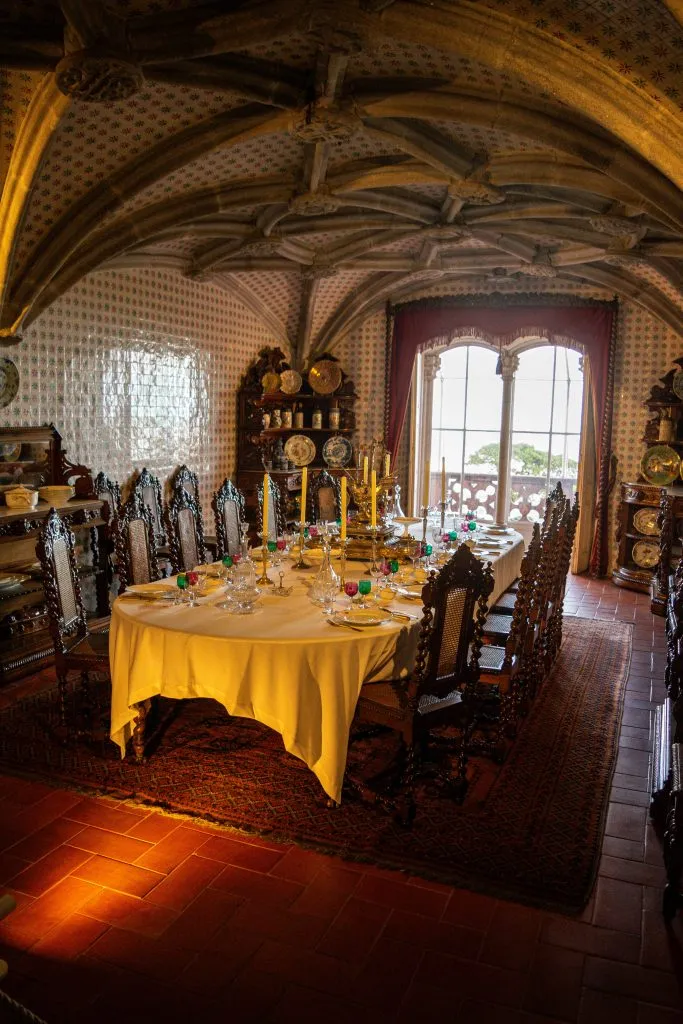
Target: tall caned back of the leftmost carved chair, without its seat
{"x": 63, "y": 592}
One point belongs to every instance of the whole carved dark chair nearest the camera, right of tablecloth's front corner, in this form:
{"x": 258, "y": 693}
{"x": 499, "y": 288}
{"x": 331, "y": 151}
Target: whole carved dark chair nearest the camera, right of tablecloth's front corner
{"x": 442, "y": 689}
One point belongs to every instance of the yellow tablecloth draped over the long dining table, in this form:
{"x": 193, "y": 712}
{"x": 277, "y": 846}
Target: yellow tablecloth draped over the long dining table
{"x": 285, "y": 666}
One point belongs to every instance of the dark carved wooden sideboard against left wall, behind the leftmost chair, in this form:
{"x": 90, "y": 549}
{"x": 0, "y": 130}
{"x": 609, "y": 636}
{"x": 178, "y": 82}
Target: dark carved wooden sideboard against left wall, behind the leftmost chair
{"x": 34, "y": 457}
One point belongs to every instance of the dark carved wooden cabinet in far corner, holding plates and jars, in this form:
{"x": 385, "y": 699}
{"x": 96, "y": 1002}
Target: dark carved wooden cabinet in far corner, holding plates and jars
{"x": 262, "y": 445}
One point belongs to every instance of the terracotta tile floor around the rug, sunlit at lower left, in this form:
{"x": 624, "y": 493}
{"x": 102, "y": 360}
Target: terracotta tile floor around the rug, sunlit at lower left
{"x": 125, "y": 914}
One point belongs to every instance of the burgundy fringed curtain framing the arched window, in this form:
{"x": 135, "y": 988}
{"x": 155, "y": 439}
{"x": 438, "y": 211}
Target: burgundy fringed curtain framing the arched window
{"x": 591, "y": 325}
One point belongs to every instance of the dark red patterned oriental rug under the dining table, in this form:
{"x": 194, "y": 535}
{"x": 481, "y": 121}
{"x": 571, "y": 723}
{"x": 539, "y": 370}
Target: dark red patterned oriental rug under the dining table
{"x": 531, "y": 830}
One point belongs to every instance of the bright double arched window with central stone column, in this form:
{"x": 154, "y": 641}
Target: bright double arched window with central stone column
{"x": 459, "y": 418}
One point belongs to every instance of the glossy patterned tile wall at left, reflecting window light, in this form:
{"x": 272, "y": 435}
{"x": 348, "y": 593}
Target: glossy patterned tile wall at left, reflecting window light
{"x": 139, "y": 369}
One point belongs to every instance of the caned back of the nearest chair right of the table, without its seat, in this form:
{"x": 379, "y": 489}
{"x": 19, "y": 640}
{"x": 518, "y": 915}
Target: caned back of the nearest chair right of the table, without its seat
{"x": 451, "y": 635}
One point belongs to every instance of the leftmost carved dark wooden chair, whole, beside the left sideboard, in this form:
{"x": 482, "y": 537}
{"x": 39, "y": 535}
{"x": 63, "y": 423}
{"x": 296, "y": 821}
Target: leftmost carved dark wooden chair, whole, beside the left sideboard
{"x": 75, "y": 648}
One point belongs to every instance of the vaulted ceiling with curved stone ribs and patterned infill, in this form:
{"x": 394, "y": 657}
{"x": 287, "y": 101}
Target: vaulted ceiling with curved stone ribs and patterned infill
{"x": 318, "y": 159}
